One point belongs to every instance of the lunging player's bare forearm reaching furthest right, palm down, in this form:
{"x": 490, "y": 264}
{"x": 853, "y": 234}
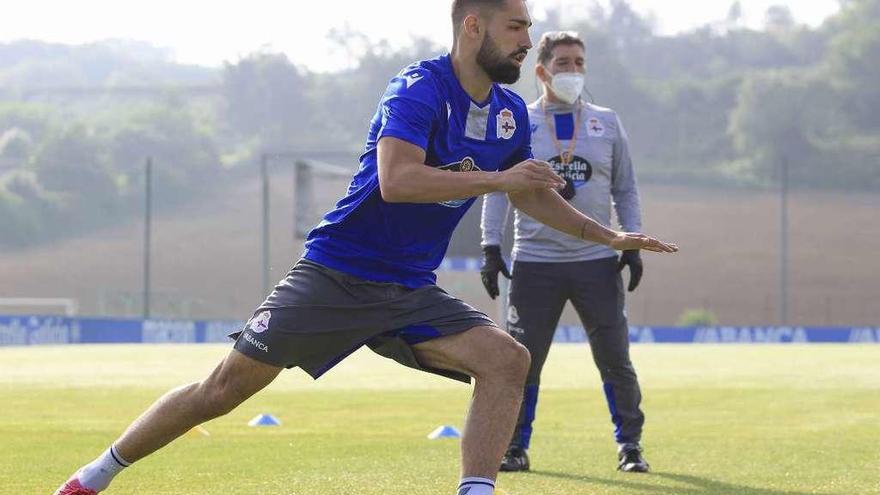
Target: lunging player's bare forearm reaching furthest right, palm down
{"x": 549, "y": 208}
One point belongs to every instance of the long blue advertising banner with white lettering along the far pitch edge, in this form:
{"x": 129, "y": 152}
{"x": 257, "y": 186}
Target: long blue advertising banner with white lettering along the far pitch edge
{"x": 45, "y": 330}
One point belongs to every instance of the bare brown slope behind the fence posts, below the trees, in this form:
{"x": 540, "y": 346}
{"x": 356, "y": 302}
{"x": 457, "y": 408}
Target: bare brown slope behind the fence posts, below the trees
{"x": 209, "y": 255}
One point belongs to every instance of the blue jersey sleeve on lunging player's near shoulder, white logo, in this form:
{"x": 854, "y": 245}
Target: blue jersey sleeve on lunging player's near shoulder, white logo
{"x": 410, "y": 108}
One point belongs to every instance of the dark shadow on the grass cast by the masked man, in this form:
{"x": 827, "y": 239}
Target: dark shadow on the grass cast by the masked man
{"x": 695, "y": 484}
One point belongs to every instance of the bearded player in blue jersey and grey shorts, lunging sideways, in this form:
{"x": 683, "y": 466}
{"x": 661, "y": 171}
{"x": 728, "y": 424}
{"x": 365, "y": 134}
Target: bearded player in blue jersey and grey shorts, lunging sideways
{"x": 444, "y": 132}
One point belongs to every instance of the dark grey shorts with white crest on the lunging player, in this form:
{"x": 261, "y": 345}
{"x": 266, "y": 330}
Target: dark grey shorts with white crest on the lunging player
{"x": 317, "y": 316}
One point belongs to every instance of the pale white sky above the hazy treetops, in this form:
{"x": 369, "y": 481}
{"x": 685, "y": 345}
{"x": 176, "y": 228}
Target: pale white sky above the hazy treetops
{"x": 210, "y": 32}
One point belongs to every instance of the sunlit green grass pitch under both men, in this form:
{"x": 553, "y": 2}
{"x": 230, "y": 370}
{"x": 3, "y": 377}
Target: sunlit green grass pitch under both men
{"x": 743, "y": 420}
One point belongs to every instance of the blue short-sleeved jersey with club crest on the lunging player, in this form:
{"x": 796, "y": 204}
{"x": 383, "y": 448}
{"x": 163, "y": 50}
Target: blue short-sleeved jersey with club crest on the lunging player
{"x": 405, "y": 242}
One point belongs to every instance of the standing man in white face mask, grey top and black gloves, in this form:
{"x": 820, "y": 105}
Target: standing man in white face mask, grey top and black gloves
{"x": 587, "y": 145}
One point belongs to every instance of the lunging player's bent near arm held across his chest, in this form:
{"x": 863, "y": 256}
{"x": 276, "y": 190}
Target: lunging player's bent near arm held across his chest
{"x": 404, "y": 178}
